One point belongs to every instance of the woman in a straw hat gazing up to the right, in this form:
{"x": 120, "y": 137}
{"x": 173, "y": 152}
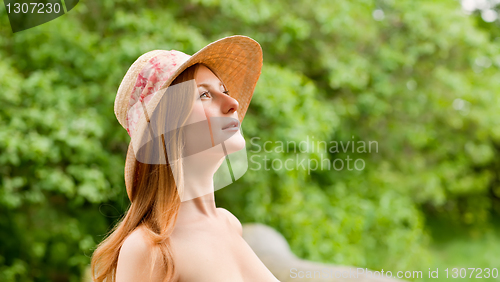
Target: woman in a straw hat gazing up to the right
{"x": 183, "y": 114}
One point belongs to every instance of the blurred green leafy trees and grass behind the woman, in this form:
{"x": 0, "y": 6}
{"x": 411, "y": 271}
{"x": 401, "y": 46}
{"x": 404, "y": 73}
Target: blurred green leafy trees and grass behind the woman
{"x": 419, "y": 77}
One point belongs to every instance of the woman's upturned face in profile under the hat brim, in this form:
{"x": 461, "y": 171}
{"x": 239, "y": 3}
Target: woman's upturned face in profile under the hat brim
{"x": 214, "y": 117}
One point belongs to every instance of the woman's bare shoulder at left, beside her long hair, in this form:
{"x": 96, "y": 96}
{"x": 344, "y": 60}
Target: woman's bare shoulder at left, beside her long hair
{"x": 134, "y": 260}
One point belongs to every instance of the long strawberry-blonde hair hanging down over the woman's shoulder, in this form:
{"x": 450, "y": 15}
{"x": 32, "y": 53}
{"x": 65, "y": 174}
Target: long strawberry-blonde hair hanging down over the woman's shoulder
{"x": 155, "y": 200}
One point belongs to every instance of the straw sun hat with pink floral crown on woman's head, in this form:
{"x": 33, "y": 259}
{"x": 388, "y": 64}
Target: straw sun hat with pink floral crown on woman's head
{"x": 236, "y": 60}
